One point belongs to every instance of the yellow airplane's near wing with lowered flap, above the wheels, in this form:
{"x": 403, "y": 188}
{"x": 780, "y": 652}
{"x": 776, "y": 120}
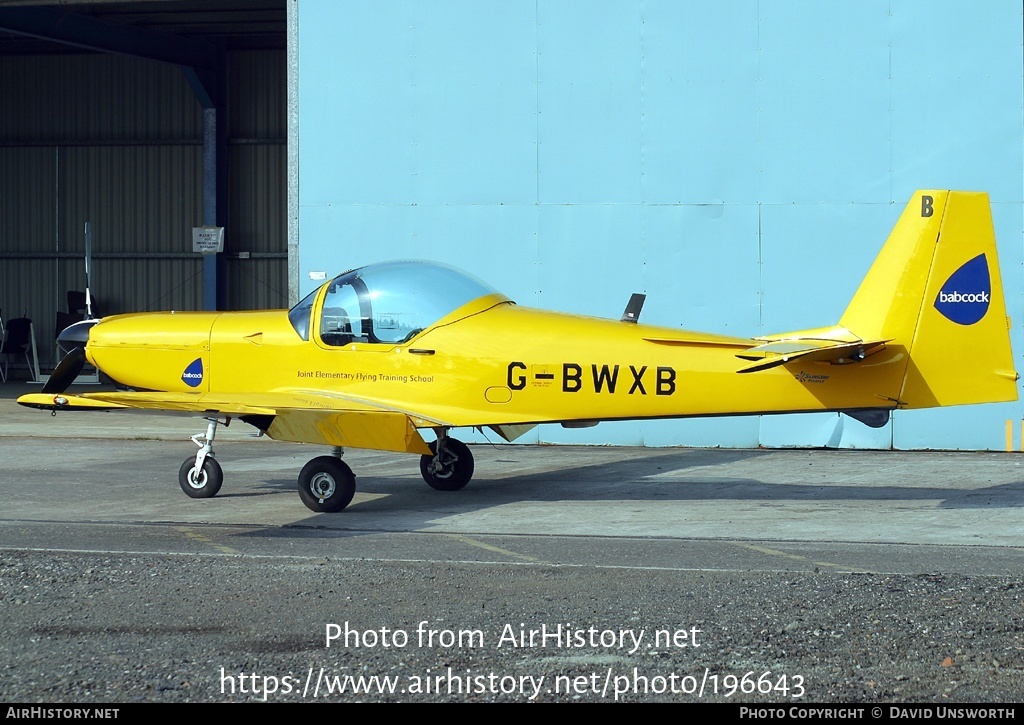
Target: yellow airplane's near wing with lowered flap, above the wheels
{"x": 301, "y": 417}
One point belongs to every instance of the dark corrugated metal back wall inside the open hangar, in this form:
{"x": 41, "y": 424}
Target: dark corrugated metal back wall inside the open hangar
{"x": 118, "y": 143}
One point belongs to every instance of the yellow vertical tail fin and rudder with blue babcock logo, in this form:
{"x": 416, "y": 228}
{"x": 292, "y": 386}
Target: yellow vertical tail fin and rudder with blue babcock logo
{"x": 935, "y": 290}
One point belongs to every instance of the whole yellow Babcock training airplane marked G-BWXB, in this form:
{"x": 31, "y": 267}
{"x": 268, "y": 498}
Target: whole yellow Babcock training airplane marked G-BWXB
{"x": 379, "y": 354}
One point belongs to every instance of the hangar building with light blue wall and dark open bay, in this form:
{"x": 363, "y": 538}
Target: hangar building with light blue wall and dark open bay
{"x": 740, "y": 162}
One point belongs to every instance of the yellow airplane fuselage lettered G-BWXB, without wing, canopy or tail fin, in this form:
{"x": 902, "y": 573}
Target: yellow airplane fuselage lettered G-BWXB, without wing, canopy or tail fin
{"x": 493, "y": 362}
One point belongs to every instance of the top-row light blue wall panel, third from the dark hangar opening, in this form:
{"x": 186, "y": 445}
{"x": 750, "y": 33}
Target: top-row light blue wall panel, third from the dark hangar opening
{"x": 700, "y": 107}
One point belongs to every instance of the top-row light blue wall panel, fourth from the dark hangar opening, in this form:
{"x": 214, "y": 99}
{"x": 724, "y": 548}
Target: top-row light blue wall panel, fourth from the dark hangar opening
{"x": 824, "y": 102}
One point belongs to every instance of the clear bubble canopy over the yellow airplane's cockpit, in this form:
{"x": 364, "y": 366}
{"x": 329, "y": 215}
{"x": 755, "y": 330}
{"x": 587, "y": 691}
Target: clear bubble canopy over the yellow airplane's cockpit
{"x": 391, "y": 303}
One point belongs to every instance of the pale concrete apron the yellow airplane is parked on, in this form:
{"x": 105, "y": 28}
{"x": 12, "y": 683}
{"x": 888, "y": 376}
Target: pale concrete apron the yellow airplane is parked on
{"x": 115, "y": 468}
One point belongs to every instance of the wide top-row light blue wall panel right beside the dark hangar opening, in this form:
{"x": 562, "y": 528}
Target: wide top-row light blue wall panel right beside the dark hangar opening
{"x": 411, "y": 103}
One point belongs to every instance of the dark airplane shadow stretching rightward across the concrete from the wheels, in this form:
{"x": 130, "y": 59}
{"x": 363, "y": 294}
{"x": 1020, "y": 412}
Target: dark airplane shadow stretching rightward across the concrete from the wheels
{"x": 654, "y": 478}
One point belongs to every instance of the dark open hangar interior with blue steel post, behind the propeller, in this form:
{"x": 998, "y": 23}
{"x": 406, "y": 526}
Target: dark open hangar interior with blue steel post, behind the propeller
{"x": 144, "y": 119}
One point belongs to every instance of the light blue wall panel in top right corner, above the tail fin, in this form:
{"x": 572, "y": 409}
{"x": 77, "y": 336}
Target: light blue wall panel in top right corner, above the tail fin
{"x": 957, "y": 97}
